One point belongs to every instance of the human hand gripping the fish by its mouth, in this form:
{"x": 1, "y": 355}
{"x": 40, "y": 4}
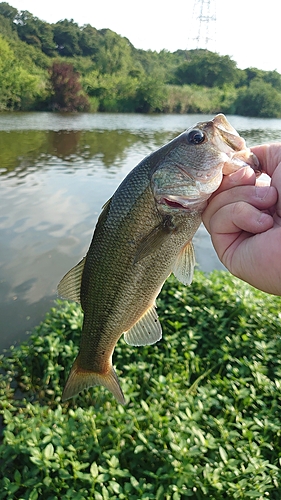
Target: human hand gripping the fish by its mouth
{"x": 244, "y": 220}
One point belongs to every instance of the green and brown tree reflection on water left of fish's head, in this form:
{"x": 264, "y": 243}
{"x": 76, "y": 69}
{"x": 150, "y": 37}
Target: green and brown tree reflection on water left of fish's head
{"x": 24, "y": 151}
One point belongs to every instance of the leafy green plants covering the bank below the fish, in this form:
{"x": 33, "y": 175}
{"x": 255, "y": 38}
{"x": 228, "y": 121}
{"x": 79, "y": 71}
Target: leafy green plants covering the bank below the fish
{"x": 202, "y": 419}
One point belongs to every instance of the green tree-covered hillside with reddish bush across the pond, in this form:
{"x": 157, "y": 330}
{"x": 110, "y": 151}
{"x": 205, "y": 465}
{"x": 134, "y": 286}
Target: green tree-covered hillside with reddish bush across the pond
{"x": 67, "y": 67}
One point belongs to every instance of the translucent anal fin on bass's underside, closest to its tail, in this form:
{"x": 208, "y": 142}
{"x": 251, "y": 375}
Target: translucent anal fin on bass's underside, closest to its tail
{"x": 146, "y": 331}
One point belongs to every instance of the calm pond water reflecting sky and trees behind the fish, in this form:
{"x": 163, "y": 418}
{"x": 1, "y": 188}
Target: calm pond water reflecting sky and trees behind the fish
{"x": 56, "y": 172}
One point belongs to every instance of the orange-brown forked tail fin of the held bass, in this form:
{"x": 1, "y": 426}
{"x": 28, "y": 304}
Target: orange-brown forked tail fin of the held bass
{"x": 83, "y": 379}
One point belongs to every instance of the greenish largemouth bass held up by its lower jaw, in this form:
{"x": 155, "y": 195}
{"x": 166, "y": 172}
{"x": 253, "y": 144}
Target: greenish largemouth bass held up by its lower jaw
{"x": 143, "y": 234}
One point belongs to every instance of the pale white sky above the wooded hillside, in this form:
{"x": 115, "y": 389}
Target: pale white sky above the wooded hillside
{"x": 246, "y": 30}
